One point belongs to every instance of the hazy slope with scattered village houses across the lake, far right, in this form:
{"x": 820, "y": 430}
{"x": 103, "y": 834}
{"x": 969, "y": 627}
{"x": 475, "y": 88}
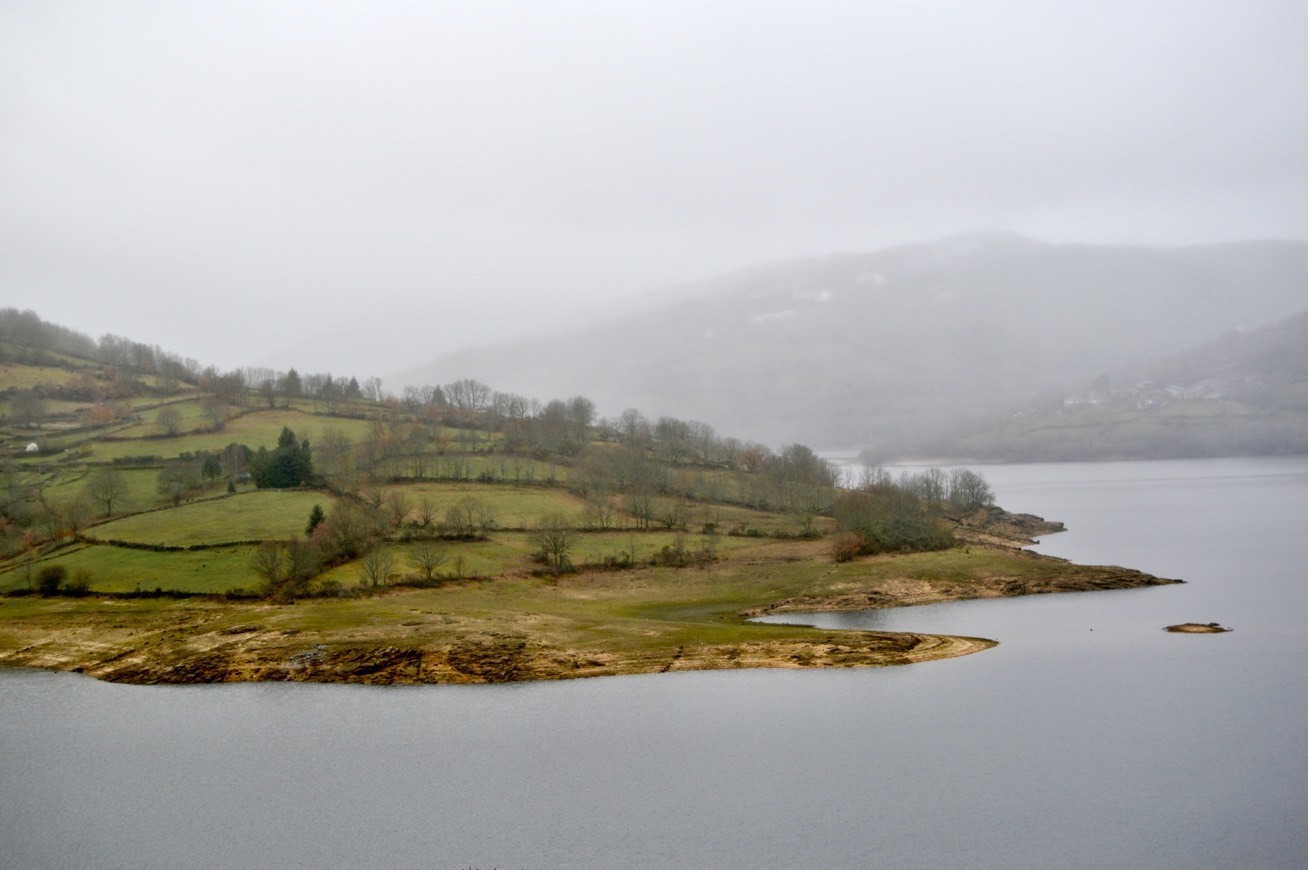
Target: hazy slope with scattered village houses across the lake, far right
{"x": 1245, "y": 393}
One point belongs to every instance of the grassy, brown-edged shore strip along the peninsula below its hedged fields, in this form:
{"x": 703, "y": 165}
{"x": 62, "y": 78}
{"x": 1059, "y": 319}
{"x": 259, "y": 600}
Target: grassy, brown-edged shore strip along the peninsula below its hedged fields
{"x": 520, "y": 629}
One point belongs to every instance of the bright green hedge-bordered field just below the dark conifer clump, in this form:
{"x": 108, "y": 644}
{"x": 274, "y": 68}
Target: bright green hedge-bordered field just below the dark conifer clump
{"x": 250, "y": 516}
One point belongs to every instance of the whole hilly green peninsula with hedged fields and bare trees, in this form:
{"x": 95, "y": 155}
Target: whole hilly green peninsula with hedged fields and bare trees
{"x": 167, "y": 524}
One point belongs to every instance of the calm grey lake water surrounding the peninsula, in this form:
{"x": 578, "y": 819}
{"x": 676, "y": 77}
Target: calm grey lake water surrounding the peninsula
{"x": 1090, "y": 739}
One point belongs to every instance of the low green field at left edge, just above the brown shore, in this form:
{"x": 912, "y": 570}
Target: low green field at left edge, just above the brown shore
{"x": 118, "y": 570}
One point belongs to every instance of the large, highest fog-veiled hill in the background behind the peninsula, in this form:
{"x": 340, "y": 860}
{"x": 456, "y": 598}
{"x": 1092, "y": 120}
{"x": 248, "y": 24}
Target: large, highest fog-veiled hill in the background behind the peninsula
{"x": 901, "y": 343}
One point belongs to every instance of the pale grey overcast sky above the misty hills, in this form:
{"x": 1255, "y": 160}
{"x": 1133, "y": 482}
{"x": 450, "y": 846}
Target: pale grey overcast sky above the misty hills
{"x": 236, "y": 181}
